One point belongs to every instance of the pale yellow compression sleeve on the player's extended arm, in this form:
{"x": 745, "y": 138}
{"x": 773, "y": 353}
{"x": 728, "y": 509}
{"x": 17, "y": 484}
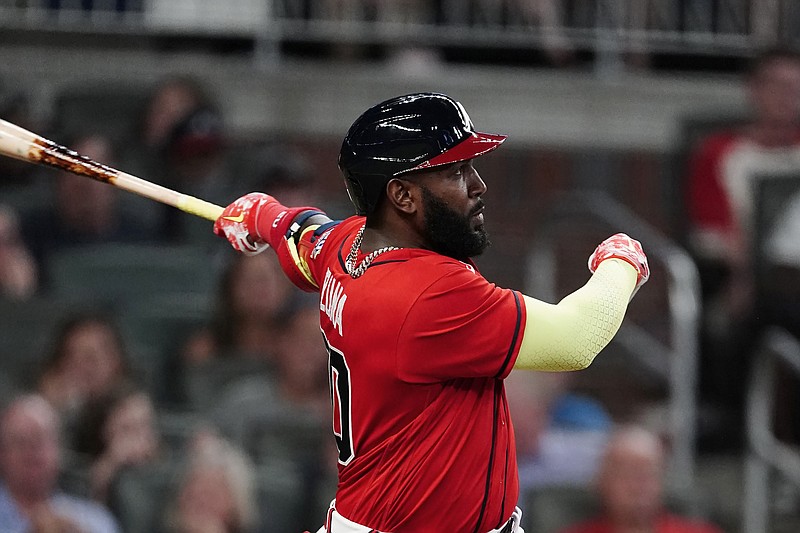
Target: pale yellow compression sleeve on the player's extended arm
{"x": 568, "y": 335}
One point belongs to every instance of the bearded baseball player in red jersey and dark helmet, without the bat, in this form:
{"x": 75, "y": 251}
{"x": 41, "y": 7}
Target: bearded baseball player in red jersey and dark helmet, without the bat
{"x": 418, "y": 341}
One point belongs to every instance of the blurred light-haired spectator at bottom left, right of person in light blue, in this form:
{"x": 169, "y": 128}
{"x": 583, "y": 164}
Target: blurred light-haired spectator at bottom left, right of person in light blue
{"x": 216, "y": 493}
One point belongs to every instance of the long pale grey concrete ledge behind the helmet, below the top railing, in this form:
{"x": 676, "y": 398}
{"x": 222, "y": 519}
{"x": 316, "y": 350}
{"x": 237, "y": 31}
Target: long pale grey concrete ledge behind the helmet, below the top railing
{"x": 535, "y": 107}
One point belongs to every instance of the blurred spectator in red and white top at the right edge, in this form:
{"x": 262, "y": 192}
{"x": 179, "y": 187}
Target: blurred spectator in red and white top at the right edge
{"x": 720, "y": 207}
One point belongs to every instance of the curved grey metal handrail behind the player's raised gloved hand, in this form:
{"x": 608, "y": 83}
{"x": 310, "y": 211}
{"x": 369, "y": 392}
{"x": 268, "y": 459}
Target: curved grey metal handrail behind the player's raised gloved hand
{"x": 675, "y": 361}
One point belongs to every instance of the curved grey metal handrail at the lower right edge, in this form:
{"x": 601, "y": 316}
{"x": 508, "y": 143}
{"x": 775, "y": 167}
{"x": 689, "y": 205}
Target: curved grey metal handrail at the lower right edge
{"x": 766, "y": 453}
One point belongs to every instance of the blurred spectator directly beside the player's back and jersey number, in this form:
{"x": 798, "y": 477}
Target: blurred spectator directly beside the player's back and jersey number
{"x": 287, "y": 419}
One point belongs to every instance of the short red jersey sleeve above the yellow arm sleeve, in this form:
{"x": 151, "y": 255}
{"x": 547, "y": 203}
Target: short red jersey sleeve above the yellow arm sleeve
{"x": 461, "y": 326}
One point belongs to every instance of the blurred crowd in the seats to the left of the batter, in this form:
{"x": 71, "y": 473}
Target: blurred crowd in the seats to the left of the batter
{"x": 223, "y": 429}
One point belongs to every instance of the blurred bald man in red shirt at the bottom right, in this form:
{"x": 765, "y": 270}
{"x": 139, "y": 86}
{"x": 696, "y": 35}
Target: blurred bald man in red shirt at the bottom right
{"x": 630, "y": 486}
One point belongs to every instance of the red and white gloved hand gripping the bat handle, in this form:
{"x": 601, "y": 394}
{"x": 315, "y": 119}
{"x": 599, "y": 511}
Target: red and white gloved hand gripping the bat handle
{"x": 237, "y": 224}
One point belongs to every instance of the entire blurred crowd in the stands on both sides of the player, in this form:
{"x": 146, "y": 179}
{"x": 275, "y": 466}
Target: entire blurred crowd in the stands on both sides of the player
{"x": 217, "y": 419}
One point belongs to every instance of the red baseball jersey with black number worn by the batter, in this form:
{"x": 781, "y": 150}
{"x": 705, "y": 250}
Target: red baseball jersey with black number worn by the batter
{"x": 418, "y": 348}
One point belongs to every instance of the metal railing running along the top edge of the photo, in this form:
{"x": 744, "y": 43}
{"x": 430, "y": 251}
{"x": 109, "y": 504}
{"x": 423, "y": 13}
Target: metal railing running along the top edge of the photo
{"x": 607, "y": 27}
